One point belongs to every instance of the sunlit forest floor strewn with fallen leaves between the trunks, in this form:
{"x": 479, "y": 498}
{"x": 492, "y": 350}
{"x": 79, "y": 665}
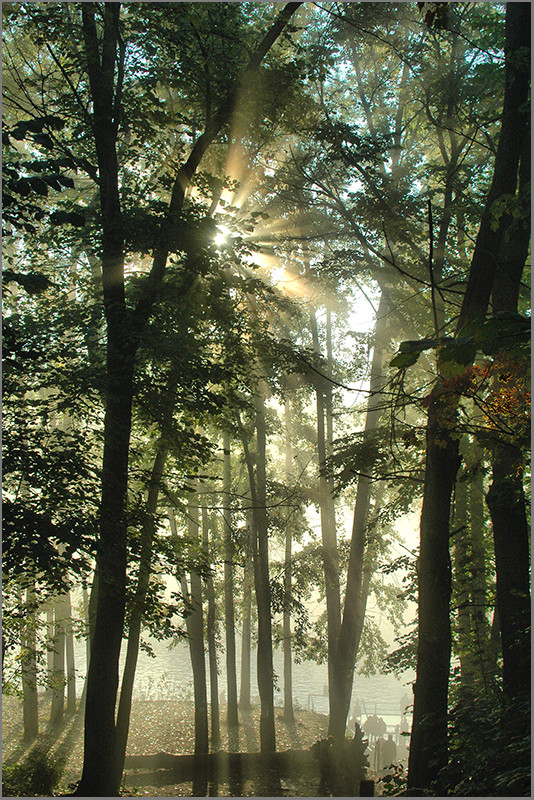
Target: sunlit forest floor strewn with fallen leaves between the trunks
{"x": 161, "y": 725}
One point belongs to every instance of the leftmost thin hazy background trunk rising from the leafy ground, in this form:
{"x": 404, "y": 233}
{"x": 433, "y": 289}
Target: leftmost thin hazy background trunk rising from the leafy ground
{"x": 30, "y": 708}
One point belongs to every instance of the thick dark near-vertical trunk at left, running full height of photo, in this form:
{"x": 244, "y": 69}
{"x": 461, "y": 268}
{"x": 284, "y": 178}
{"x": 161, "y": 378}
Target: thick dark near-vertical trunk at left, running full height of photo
{"x": 99, "y": 769}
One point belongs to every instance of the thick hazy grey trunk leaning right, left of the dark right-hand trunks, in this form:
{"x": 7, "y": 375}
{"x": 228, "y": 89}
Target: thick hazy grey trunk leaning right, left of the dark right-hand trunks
{"x": 357, "y": 583}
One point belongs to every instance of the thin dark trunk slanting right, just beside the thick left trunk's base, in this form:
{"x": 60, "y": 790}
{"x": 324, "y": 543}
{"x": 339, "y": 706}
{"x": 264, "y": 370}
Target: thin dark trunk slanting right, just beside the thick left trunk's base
{"x": 138, "y": 606}
